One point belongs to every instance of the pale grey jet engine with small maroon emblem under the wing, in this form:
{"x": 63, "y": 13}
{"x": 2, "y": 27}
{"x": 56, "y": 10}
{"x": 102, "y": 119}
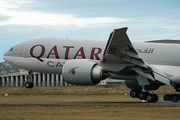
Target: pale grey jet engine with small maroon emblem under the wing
{"x": 83, "y": 72}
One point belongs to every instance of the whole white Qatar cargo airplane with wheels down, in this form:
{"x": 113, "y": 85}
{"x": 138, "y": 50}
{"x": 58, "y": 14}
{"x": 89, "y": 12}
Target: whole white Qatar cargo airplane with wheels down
{"x": 143, "y": 66}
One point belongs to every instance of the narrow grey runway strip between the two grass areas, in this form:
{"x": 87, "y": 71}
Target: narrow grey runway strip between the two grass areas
{"x": 133, "y": 103}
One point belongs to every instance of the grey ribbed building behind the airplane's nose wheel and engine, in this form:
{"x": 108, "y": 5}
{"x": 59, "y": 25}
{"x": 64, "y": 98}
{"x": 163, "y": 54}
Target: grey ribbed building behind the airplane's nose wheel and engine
{"x": 12, "y": 76}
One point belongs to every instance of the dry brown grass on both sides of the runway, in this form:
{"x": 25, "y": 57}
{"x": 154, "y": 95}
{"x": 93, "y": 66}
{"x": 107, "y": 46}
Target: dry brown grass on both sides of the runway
{"x": 108, "y": 93}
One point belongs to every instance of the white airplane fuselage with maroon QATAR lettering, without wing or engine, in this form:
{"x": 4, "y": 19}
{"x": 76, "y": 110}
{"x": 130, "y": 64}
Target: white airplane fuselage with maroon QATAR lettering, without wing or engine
{"x": 49, "y": 55}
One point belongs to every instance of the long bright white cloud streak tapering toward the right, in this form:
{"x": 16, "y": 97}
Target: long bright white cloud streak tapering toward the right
{"x": 41, "y": 19}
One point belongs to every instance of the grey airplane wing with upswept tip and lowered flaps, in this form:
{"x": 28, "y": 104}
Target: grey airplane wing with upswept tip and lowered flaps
{"x": 121, "y": 57}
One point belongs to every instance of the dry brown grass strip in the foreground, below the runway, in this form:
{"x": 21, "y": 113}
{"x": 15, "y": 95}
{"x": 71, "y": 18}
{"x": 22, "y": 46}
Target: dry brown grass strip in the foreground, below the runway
{"x": 89, "y": 111}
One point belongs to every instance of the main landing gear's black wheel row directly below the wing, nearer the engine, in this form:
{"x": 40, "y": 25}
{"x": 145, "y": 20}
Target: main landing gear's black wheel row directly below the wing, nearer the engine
{"x": 144, "y": 95}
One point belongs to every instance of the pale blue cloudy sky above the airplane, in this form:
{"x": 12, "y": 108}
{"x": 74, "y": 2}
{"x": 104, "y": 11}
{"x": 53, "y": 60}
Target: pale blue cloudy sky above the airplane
{"x": 22, "y": 20}
